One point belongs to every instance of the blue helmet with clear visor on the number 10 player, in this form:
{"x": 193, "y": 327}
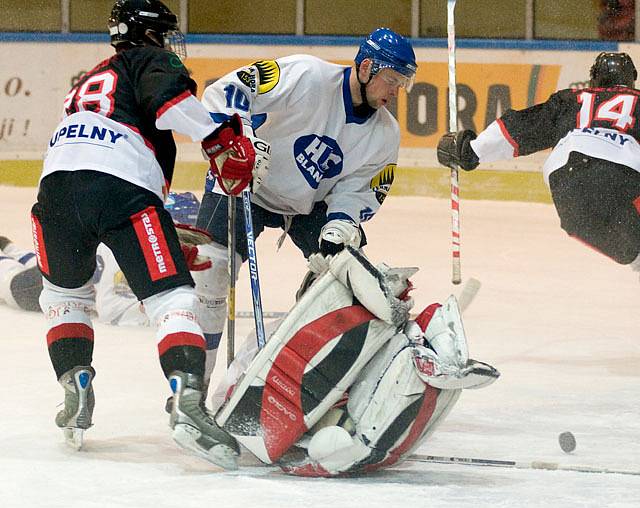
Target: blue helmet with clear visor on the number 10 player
{"x": 388, "y": 50}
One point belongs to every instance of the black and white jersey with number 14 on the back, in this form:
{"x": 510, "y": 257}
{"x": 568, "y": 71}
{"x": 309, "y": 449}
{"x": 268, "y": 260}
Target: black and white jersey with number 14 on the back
{"x": 599, "y": 122}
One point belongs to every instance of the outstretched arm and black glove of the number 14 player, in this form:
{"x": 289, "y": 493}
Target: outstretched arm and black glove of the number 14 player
{"x": 516, "y": 133}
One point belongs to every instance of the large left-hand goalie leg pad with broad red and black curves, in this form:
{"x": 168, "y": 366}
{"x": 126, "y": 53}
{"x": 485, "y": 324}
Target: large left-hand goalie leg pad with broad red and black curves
{"x": 311, "y": 360}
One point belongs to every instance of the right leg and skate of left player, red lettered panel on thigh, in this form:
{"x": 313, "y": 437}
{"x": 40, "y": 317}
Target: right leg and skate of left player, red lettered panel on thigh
{"x": 144, "y": 241}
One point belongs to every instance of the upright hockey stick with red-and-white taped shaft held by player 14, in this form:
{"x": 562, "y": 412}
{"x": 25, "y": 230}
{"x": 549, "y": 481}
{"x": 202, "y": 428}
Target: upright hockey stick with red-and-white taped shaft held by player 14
{"x": 456, "y": 276}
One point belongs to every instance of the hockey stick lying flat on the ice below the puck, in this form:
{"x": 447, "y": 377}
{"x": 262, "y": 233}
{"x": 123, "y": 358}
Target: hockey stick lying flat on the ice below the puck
{"x": 549, "y": 466}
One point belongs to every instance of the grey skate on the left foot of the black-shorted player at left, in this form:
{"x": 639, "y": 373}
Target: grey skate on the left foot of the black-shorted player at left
{"x": 79, "y": 401}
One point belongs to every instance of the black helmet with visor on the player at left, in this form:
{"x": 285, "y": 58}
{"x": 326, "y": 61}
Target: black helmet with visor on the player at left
{"x": 140, "y": 22}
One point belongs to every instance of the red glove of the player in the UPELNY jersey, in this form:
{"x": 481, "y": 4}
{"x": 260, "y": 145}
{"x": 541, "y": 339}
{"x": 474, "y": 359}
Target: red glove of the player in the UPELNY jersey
{"x": 231, "y": 154}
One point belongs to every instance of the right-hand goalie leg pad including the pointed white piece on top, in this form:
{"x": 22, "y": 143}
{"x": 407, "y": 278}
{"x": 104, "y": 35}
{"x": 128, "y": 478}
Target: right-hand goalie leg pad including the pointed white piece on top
{"x": 398, "y": 400}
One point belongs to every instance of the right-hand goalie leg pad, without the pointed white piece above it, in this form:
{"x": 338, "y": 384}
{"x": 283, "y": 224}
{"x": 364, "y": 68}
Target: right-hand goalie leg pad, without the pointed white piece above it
{"x": 393, "y": 411}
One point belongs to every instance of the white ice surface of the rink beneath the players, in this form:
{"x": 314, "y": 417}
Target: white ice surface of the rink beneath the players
{"x": 559, "y": 321}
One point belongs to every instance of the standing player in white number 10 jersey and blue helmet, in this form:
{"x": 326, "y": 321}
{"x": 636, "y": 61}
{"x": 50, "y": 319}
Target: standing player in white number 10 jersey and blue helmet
{"x": 333, "y": 148}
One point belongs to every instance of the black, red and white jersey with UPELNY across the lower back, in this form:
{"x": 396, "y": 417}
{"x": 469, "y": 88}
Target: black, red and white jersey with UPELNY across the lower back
{"x": 117, "y": 118}
